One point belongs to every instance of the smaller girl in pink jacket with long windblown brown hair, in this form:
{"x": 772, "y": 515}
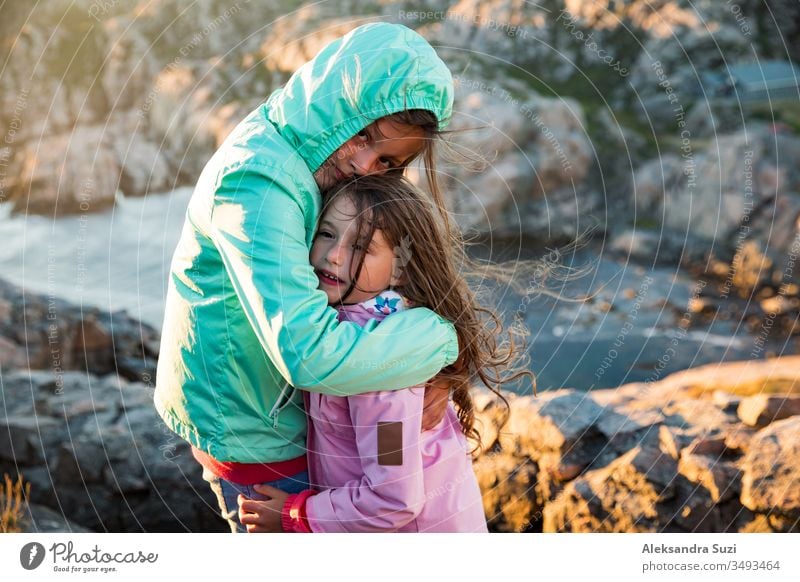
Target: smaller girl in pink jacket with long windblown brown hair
{"x": 371, "y": 466}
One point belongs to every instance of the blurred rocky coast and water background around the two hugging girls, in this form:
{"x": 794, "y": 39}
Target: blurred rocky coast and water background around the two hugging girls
{"x": 661, "y": 134}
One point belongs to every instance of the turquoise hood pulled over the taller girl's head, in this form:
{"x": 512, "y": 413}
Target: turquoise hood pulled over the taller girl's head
{"x": 375, "y": 70}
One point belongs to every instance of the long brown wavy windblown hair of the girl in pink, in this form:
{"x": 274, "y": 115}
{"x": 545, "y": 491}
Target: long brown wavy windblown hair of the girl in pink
{"x": 434, "y": 269}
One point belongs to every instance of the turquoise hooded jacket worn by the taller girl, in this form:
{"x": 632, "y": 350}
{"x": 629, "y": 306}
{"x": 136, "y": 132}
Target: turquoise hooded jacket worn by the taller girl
{"x": 245, "y": 325}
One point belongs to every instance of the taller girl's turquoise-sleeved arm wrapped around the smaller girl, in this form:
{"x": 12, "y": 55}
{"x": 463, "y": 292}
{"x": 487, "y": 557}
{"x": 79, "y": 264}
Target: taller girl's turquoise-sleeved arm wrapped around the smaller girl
{"x": 259, "y": 225}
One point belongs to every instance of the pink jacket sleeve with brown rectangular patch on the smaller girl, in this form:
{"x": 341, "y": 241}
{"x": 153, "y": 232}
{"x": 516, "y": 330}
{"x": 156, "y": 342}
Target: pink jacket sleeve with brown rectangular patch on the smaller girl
{"x": 389, "y": 495}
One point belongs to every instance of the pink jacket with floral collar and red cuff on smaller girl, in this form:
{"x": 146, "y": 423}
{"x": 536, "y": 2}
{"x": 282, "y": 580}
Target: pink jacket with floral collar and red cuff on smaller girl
{"x": 373, "y": 466}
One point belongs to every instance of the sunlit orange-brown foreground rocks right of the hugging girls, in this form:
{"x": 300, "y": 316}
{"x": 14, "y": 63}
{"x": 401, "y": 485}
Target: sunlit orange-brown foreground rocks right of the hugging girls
{"x": 712, "y": 449}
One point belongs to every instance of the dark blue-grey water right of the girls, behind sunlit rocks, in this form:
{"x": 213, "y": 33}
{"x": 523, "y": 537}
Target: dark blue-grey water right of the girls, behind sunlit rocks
{"x": 638, "y": 327}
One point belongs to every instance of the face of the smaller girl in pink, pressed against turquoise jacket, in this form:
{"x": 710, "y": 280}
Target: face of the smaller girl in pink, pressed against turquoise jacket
{"x": 336, "y": 252}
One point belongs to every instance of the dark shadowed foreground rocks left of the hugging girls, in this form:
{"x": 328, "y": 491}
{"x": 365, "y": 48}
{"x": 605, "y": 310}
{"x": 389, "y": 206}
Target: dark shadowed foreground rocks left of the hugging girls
{"x": 78, "y": 422}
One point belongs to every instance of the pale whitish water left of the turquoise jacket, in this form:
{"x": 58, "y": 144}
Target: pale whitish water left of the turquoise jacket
{"x": 115, "y": 260}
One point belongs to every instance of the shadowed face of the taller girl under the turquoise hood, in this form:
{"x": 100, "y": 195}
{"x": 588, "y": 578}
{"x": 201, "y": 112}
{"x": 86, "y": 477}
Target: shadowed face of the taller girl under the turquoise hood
{"x": 381, "y": 146}
